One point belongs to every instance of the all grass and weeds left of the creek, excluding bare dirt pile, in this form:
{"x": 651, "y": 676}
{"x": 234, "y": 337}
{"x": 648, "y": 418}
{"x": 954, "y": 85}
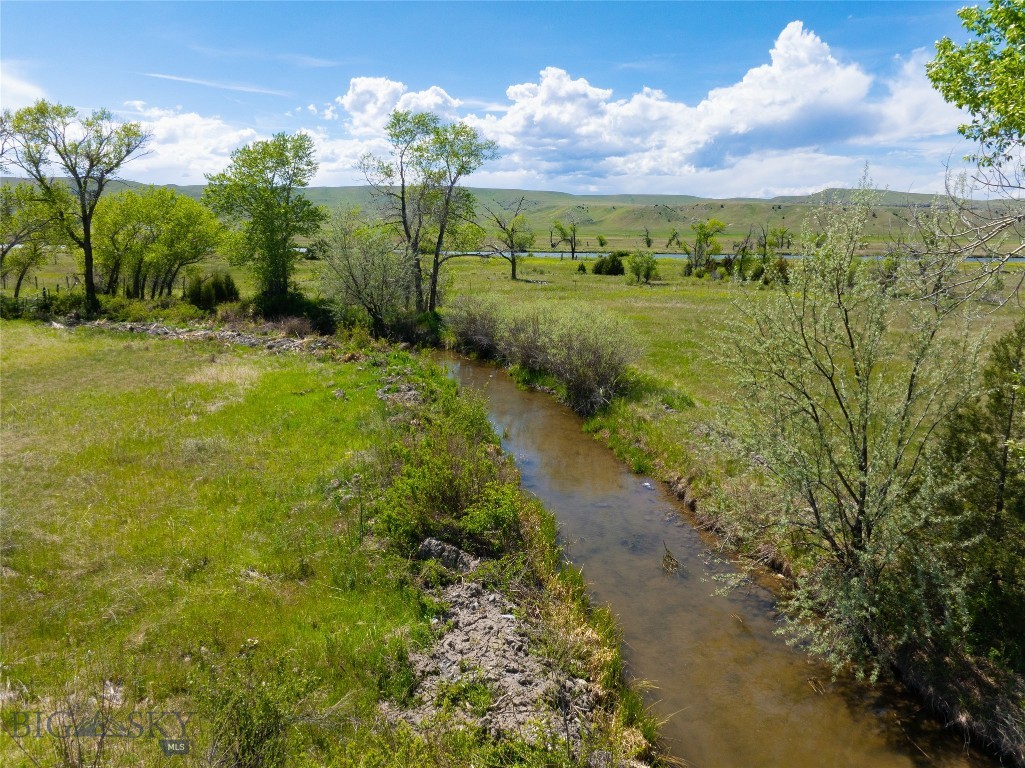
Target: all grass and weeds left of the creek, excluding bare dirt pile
{"x": 182, "y": 526}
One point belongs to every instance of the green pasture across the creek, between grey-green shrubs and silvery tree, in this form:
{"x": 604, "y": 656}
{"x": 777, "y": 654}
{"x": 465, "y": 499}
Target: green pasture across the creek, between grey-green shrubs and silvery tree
{"x": 679, "y": 322}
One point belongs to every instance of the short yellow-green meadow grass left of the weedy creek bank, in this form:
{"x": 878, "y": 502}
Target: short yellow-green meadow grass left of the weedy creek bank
{"x": 167, "y": 504}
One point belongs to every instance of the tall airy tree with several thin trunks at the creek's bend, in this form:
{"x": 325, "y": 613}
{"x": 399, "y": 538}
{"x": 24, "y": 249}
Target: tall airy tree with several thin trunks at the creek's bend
{"x": 418, "y": 187}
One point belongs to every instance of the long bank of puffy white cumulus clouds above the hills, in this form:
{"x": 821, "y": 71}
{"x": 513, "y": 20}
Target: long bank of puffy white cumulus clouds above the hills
{"x": 803, "y": 120}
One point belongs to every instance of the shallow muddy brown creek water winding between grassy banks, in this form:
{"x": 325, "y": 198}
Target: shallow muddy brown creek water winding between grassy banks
{"x": 731, "y": 692}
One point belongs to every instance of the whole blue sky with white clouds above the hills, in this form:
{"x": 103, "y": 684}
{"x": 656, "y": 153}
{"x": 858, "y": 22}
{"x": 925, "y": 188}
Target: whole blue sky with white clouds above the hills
{"x": 711, "y": 99}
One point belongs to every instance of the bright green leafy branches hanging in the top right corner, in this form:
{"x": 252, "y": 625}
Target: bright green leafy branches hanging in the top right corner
{"x": 986, "y": 76}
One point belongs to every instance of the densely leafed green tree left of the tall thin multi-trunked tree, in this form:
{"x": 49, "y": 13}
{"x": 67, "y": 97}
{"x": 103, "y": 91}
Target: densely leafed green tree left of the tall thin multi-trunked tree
{"x": 260, "y": 196}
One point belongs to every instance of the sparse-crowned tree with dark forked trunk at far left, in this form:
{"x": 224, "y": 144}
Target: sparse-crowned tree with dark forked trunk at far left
{"x": 88, "y": 152}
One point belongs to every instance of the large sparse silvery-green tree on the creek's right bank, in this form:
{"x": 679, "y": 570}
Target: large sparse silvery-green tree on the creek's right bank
{"x": 849, "y": 374}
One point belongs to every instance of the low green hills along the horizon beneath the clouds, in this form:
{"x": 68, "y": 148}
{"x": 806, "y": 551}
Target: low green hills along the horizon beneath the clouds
{"x": 623, "y": 220}
